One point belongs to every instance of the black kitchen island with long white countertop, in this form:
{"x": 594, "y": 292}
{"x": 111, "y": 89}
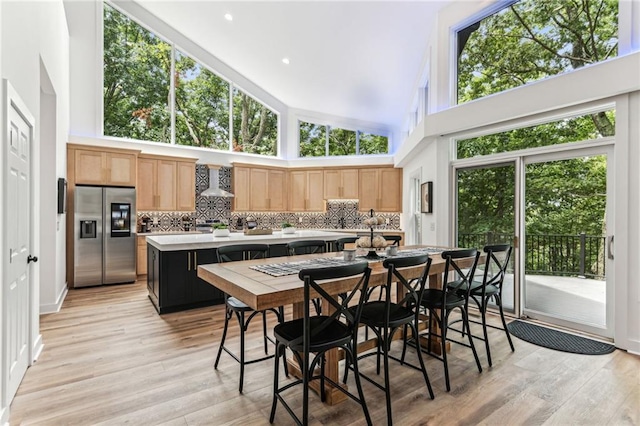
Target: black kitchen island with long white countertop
{"x": 172, "y": 263}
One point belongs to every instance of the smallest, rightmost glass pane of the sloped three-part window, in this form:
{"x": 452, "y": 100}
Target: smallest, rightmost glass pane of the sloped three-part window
{"x": 255, "y": 127}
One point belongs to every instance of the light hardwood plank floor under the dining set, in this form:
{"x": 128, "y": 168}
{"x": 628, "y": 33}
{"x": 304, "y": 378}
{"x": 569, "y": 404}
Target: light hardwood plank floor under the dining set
{"x": 109, "y": 358}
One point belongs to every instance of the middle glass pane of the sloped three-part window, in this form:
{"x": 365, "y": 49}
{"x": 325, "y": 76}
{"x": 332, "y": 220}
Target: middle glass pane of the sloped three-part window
{"x": 202, "y": 105}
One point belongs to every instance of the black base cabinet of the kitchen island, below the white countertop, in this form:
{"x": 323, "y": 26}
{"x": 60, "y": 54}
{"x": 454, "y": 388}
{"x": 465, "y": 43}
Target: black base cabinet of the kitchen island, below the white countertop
{"x": 173, "y": 283}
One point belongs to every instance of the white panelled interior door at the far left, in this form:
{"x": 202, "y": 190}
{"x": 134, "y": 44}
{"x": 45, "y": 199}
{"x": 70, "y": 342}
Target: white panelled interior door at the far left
{"x": 16, "y": 284}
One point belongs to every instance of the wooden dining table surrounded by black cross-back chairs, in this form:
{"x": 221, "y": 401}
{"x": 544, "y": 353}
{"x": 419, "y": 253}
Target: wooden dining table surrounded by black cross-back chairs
{"x": 260, "y": 291}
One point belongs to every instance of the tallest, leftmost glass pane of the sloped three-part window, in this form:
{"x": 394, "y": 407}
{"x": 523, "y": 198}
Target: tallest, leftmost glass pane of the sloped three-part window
{"x": 136, "y": 80}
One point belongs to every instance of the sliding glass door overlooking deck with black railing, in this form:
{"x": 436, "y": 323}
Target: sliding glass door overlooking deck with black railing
{"x": 554, "y": 209}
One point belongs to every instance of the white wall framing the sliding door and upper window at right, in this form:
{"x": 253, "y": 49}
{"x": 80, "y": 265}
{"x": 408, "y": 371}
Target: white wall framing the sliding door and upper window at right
{"x": 615, "y": 82}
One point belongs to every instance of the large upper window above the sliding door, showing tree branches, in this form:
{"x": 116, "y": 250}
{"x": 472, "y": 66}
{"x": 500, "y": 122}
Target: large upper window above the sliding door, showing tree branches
{"x": 533, "y": 39}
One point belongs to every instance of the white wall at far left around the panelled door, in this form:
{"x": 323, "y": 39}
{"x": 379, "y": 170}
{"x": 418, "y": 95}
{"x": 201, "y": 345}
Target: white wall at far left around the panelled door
{"x": 35, "y": 33}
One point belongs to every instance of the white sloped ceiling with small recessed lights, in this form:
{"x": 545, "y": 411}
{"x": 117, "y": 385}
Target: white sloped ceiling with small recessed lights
{"x": 355, "y": 59}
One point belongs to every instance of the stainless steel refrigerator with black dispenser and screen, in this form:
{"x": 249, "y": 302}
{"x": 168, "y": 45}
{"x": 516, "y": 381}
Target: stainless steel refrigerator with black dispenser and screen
{"x": 105, "y": 235}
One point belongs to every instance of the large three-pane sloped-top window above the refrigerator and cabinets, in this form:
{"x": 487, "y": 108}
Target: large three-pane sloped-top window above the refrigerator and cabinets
{"x": 209, "y": 111}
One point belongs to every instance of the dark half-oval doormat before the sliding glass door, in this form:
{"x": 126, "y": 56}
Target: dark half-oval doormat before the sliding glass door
{"x": 554, "y": 339}
